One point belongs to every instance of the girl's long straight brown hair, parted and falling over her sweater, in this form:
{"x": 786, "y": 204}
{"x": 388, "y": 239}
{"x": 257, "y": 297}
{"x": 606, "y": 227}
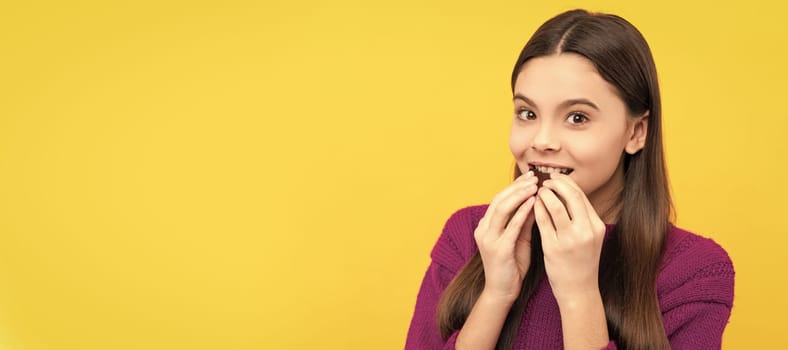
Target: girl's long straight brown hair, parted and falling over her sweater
{"x": 630, "y": 260}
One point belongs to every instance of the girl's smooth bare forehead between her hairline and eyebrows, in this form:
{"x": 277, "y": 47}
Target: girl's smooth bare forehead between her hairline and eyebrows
{"x": 555, "y": 78}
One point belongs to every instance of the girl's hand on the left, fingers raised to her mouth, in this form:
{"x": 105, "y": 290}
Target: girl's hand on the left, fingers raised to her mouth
{"x": 504, "y": 238}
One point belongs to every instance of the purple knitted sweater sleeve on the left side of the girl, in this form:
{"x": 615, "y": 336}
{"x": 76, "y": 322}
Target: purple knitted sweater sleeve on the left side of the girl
{"x": 454, "y": 247}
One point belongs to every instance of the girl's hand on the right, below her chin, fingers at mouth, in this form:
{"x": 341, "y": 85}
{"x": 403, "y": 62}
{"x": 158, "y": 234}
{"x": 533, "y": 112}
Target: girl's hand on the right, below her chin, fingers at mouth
{"x": 572, "y": 234}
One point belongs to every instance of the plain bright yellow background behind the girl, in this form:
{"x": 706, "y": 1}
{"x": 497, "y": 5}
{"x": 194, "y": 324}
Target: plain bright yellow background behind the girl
{"x": 272, "y": 175}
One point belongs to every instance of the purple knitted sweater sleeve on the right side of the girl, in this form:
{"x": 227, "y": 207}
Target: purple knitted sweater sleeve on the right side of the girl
{"x": 697, "y": 309}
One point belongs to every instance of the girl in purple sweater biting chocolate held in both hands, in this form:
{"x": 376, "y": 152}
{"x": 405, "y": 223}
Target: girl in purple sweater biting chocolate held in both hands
{"x": 587, "y": 258}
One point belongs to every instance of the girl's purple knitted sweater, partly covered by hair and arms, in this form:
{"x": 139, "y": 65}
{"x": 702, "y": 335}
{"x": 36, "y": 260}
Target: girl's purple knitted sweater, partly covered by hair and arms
{"x": 694, "y": 286}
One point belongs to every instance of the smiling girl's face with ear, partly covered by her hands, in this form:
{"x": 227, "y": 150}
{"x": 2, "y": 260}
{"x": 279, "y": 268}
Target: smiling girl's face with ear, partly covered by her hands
{"x": 567, "y": 116}
